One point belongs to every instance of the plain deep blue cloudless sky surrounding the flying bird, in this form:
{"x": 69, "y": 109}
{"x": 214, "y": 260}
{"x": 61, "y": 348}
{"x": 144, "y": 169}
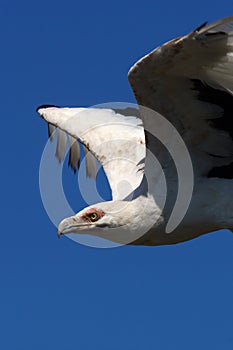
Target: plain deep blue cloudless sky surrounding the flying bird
{"x": 56, "y": 294}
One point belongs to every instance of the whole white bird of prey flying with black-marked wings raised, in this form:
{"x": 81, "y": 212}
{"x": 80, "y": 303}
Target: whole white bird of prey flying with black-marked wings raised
{"x": 169, "y": 162}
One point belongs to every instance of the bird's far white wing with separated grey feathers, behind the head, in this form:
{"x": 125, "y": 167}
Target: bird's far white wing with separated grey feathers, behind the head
{"x": 115, "y": 138}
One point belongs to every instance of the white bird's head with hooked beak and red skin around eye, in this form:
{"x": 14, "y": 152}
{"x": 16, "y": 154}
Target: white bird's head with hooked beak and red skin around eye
{"x": 114, "y": 220}
